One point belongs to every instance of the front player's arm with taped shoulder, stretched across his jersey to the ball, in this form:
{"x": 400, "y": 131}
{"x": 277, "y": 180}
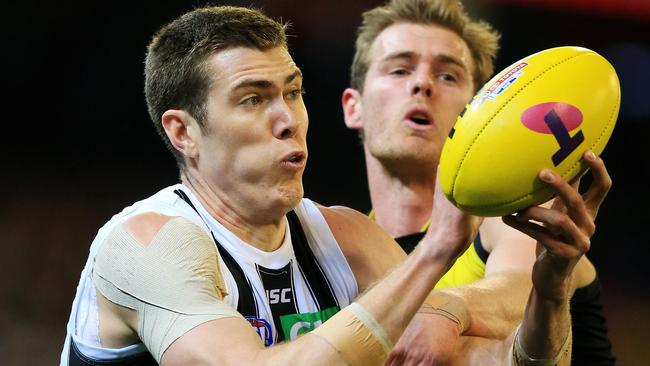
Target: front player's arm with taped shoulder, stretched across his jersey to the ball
{"x": 180, "y": 327}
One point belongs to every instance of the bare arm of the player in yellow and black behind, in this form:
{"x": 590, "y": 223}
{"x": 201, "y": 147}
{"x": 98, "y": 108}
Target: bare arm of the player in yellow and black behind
{"x": 491, "y": 307}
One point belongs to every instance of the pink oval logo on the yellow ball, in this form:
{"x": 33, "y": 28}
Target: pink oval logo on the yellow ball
{"x": 533, "y": 117}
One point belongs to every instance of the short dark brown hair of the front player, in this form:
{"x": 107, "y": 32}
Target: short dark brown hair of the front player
{"x": 177, "y": 74}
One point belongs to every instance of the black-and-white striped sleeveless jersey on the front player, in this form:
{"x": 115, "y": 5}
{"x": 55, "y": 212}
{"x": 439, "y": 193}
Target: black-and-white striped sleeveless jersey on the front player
{"x": 283, "y": 293}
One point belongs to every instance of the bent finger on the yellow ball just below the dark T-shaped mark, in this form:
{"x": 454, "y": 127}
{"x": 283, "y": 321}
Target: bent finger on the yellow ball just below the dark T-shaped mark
{"x": 571, "y": 198}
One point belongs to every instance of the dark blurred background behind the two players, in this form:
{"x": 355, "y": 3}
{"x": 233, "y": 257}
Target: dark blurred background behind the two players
{"x": 78, "y": 145}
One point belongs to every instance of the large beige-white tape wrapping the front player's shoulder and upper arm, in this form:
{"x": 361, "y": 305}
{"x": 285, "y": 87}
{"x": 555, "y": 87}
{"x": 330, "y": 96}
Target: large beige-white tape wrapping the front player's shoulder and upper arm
{"x": 174, "y": 283}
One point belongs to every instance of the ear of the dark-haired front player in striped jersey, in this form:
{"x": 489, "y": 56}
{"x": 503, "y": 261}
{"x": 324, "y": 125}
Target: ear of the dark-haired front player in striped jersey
{"x": 182, "y": 130}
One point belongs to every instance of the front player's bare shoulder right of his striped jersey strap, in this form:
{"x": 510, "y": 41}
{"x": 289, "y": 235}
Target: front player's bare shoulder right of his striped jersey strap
{"x": 369, "y": 250}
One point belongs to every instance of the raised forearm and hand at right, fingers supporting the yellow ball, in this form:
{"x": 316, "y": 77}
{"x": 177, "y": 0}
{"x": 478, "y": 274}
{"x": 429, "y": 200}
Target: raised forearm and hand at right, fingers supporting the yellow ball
{"x": 544, "y": 336}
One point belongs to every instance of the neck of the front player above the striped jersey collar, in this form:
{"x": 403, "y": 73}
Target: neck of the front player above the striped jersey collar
{"x": 266, "y": 234}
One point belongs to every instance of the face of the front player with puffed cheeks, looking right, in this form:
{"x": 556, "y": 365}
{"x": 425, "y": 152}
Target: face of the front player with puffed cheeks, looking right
{"x": 255, "y": 148}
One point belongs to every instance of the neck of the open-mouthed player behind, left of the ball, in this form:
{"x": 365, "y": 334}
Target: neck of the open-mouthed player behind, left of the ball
{"x": 401, "y": 202}
